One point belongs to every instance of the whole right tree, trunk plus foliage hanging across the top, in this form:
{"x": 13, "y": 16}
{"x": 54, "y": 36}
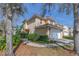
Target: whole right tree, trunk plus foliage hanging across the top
{"x": 68, "y": 8}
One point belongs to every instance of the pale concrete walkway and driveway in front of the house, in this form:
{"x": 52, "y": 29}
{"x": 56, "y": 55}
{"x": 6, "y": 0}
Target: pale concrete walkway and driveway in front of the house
{"x": 61, "y": 42}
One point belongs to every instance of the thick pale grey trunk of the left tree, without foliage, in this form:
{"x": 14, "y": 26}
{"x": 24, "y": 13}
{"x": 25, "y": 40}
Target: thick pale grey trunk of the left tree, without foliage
{"x": 9, "y": 45}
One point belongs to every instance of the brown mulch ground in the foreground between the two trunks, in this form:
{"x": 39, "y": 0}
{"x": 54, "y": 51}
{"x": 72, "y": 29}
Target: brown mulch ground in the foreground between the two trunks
{"x": 25, "y": 50}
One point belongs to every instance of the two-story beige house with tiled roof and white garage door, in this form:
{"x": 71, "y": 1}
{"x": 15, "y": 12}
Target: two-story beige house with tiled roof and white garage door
{"x": 43, "y": 26}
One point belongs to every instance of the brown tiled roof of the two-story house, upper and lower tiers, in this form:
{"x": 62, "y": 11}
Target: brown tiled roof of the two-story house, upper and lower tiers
{"x": 57, "y": 26}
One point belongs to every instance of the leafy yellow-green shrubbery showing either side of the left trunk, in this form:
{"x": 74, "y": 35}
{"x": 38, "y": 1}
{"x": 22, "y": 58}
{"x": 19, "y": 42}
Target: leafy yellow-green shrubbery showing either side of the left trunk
{"x": 16, "y": 40}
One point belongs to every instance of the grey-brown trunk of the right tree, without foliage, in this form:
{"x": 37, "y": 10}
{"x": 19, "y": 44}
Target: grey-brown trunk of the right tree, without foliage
{"x": 76, "y": 28}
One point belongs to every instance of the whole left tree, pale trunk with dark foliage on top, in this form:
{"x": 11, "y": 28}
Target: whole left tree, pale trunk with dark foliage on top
{"x": 9, "y": 11}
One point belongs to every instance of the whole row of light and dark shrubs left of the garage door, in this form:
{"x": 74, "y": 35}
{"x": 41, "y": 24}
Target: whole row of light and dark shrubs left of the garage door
{"x": 38, "y": 38}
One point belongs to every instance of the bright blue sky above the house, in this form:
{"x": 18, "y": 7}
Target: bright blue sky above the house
{"x": 33, "y": 9}
